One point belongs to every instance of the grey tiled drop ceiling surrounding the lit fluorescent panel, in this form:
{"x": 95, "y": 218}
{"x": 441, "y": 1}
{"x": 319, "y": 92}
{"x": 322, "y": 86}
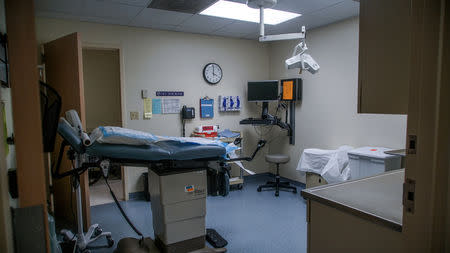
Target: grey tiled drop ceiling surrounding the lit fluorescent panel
{"x": 315, "y": 13}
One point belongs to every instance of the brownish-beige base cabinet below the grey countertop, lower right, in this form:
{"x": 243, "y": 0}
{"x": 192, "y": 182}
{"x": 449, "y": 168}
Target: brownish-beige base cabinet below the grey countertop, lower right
{"x": 332, "y": 230}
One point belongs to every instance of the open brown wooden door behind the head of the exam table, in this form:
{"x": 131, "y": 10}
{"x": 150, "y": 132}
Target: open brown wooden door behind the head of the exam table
{"x": 64, "y": 72}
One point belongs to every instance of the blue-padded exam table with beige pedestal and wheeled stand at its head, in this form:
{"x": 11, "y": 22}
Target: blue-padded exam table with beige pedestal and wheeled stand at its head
{"x": 177, "y": 179}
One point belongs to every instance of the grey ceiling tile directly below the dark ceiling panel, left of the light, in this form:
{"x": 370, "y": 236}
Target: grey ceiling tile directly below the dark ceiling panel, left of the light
{"x": 149, "y": 17}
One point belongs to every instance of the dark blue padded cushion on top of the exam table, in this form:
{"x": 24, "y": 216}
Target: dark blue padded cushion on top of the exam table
{"x": 163, "y": 150}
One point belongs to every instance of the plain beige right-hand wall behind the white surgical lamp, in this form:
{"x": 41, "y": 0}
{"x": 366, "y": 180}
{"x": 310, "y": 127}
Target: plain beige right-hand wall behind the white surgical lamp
{"x": 327, "y": 116}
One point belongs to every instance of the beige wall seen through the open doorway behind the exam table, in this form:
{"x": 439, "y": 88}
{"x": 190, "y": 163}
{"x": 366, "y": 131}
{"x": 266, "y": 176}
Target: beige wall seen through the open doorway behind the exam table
{"x": 101, "y": 74}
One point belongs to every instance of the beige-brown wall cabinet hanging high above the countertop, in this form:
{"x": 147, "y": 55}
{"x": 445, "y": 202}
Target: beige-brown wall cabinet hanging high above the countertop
{"x": 384, "y": 56}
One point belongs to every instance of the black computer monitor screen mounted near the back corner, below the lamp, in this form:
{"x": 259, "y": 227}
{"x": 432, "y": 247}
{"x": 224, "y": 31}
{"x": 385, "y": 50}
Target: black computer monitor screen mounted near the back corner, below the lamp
{"x": 260, "y": 91}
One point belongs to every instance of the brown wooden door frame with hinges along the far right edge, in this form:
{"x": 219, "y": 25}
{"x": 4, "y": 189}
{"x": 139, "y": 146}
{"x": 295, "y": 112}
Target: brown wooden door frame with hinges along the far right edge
{"x": 427, "y": 161}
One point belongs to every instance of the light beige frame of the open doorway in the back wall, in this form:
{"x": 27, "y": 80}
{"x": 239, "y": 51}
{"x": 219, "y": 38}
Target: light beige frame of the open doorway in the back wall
{"x": 109, "y": 46}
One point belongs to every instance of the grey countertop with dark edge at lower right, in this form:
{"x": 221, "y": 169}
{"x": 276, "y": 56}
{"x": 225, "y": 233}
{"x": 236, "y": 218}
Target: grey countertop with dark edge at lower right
{"x": 377, "y": 198}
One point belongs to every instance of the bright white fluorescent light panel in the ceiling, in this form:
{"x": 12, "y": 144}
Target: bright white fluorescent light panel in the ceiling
{"x": 233, "y": 10}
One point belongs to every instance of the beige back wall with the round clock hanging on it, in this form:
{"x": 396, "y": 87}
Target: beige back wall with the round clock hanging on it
{"x": 162, "y": 60}
